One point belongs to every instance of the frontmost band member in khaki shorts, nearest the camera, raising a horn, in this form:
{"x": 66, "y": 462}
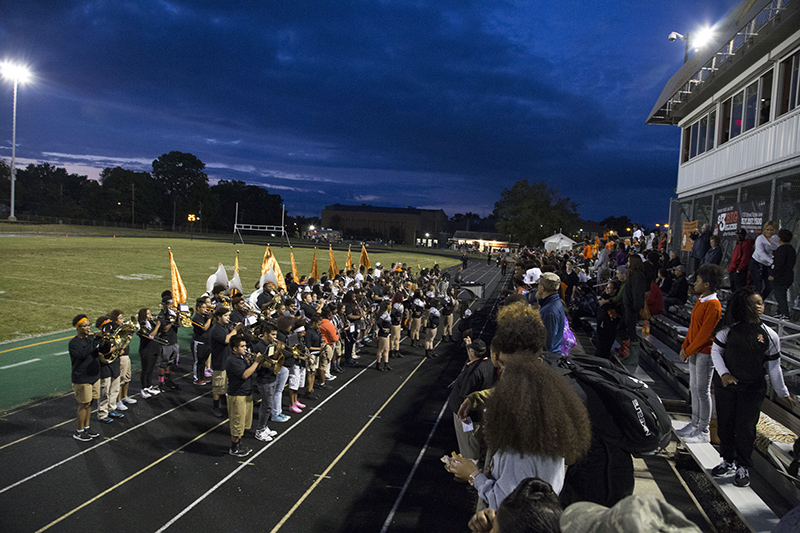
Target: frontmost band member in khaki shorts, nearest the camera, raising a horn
{"x": 239, "y": 368}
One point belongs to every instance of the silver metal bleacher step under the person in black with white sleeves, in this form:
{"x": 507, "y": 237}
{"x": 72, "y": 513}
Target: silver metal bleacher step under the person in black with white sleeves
{"x": 744, "y": 500}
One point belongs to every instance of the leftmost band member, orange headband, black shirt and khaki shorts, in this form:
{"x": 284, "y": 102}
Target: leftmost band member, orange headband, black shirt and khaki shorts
{"x": 83, "y": 354}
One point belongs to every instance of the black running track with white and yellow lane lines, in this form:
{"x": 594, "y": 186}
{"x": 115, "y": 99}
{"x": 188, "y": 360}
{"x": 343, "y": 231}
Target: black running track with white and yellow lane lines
{"x": 365, "y": 457}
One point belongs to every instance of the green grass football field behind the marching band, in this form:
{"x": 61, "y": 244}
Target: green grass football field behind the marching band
{"x": 45, "y": 281}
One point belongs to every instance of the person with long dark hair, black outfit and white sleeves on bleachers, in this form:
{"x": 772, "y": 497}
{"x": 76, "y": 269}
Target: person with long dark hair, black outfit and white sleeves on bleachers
{"x": 744, "y": 350}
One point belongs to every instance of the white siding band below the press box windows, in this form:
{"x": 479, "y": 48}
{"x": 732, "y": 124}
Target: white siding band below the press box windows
{"x": 742, "y": 158}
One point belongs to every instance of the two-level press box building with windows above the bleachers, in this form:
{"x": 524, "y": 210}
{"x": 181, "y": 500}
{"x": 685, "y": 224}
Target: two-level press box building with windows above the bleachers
{"x": 738, "y": 106}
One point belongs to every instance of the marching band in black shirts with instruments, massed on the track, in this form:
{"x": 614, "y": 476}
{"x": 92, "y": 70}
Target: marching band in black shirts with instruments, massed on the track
{"x": 299, "y": 337}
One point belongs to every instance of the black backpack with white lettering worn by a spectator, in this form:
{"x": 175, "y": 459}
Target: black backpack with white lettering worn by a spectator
{"x": 636, "y": 409}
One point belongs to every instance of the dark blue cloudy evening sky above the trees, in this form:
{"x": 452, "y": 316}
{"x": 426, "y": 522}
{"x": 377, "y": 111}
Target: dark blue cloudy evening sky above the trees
{"x": 428, "y": 103}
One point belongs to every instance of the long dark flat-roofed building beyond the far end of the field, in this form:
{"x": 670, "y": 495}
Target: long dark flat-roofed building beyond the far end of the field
{"x": 407, "y": 225}
